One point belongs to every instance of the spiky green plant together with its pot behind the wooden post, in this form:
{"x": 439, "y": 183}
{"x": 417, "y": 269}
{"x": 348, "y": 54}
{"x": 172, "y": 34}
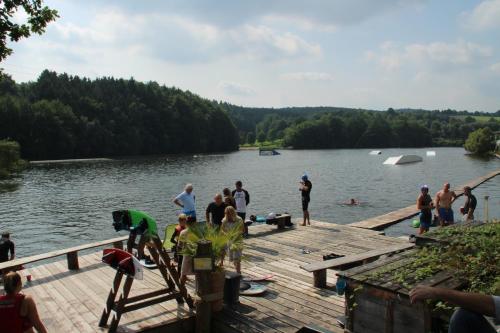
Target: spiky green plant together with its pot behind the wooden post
{"x": 220, "y": 242}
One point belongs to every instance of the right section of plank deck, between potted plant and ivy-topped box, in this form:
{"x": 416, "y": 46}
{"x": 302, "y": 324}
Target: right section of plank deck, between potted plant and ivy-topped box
{"x": 291, "y": 301}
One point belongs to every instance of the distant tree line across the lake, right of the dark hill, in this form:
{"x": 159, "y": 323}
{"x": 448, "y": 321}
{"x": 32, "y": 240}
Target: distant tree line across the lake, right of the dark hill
{"x": 325, "y": 127}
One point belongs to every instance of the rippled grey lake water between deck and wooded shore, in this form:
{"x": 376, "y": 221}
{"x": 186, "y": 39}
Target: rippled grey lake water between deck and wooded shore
{"x": 63, "y": 205}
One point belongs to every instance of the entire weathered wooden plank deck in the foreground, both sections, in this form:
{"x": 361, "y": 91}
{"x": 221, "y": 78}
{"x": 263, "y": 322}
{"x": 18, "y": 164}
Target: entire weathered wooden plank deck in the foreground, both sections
{"x": 72, "y": 301}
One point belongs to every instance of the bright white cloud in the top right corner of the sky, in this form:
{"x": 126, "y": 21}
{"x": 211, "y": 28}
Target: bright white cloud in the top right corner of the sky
{"x": 484, "y": 16}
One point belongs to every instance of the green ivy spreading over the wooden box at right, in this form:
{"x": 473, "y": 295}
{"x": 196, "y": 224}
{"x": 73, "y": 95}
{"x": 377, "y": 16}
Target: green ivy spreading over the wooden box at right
{"x": 469, "y": 252}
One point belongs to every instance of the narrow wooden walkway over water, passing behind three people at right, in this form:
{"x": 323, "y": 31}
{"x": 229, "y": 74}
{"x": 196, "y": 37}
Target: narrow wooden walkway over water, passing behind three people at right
{"x": 385, "y": 220}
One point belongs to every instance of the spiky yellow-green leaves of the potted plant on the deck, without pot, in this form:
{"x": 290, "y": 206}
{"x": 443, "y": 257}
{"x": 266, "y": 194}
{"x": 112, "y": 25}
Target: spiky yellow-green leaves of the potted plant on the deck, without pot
{"x": 221, "y": 241}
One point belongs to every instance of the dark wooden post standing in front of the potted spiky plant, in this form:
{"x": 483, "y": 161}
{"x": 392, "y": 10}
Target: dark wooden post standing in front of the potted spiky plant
{"x": 203, "y": 307}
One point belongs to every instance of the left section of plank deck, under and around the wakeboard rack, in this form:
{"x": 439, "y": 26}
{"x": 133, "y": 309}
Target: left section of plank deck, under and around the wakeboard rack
{"x": 73, "y": 301}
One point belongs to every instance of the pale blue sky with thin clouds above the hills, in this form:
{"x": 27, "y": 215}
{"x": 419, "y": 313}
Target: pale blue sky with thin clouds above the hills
{"x": 277, "y": 53}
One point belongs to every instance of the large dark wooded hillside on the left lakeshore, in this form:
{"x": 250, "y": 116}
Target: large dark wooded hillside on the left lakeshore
{"x": 62, "y": 116}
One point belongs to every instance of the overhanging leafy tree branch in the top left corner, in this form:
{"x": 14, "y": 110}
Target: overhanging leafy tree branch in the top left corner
{"x": 38, "y": 16}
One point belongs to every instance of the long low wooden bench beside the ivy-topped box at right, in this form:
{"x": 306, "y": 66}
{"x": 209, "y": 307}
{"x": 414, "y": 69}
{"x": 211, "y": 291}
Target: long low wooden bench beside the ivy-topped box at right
{"x": 319, "y": 268}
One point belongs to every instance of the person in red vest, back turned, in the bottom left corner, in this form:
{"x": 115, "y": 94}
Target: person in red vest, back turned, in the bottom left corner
{"x": 18, "y": 313}
